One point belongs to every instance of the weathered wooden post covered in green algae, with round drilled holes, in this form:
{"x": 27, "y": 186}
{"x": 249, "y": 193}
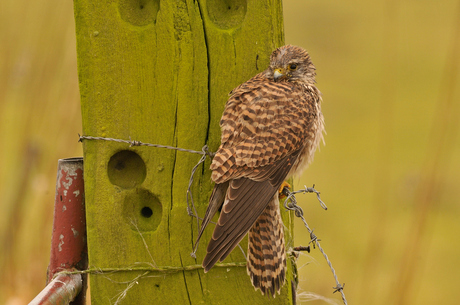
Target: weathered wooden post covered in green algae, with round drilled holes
{"x": 159, "y": 71}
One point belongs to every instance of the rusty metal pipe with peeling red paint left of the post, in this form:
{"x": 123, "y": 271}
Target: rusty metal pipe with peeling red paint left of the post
{"x": 68, "y": 242}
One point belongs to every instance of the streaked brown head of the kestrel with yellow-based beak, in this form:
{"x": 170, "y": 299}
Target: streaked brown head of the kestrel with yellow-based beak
{"x": 292, "y": 64}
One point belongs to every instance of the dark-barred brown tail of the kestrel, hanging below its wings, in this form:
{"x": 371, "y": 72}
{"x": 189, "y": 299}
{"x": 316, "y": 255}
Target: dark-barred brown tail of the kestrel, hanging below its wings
{"x": 266, "y": 253}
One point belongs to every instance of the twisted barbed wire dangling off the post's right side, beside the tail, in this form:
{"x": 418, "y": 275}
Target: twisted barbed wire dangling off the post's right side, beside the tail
{"x": 290, "y": 203}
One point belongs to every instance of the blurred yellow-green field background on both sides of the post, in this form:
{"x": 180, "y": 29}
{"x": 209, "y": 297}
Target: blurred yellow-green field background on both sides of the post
{"x": 389, "y": 173}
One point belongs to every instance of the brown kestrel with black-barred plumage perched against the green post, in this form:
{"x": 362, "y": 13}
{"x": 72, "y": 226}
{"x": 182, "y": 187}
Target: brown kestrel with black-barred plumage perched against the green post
{"x": 271, "y": 127}
